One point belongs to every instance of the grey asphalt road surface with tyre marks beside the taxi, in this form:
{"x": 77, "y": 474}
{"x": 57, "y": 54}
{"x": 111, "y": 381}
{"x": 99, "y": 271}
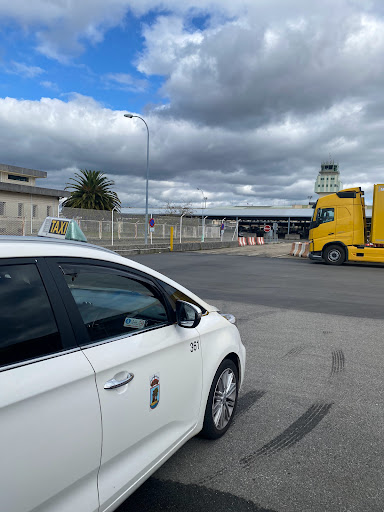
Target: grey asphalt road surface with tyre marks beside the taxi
{"x": 309, "y": 430}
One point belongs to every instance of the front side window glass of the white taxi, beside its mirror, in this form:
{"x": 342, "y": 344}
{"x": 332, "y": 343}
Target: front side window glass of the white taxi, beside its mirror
{"x": 112, "y": 303}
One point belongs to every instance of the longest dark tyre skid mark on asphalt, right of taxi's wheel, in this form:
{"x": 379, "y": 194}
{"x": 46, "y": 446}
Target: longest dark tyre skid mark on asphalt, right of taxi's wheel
{"x": 292, "y": 435}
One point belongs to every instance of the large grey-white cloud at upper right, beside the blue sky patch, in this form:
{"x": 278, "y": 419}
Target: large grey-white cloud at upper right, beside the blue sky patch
{"x": 245, "y": 73}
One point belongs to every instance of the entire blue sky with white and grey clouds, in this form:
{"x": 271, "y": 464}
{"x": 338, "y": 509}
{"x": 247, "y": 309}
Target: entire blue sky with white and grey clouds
{"x": 243, "y": 99}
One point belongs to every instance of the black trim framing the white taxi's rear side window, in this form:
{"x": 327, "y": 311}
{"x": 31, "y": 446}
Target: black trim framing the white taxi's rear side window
{"x": 65, "y": 330}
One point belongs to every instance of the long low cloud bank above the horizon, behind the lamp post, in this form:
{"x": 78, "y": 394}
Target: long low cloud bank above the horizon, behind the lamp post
{"x": 273, "y": 164}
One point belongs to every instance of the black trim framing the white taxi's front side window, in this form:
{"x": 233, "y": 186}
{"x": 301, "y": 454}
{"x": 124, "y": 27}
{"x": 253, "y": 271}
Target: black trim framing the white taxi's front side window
{"x": 73, "y": 313}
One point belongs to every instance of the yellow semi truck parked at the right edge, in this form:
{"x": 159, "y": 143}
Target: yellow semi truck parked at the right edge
{"x": 338, "y": 230}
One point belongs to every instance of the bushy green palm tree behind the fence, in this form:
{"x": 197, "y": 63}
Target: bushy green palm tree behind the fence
{"x": 91, "y": 190}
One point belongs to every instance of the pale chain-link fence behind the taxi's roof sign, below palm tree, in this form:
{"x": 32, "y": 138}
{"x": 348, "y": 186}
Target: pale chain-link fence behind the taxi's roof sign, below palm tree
{"x": 112, "y": 228}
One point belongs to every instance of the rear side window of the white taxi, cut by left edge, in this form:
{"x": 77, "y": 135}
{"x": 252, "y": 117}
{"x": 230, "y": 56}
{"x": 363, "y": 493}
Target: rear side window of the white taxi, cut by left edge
{"x": 28, "y": 325}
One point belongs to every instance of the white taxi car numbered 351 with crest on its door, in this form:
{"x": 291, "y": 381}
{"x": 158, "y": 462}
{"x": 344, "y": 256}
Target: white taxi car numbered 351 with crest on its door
{"x": 106, "y": 369}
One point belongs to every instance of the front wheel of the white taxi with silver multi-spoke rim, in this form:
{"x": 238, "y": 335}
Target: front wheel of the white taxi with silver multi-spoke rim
{"x": 222, "y": 401}
